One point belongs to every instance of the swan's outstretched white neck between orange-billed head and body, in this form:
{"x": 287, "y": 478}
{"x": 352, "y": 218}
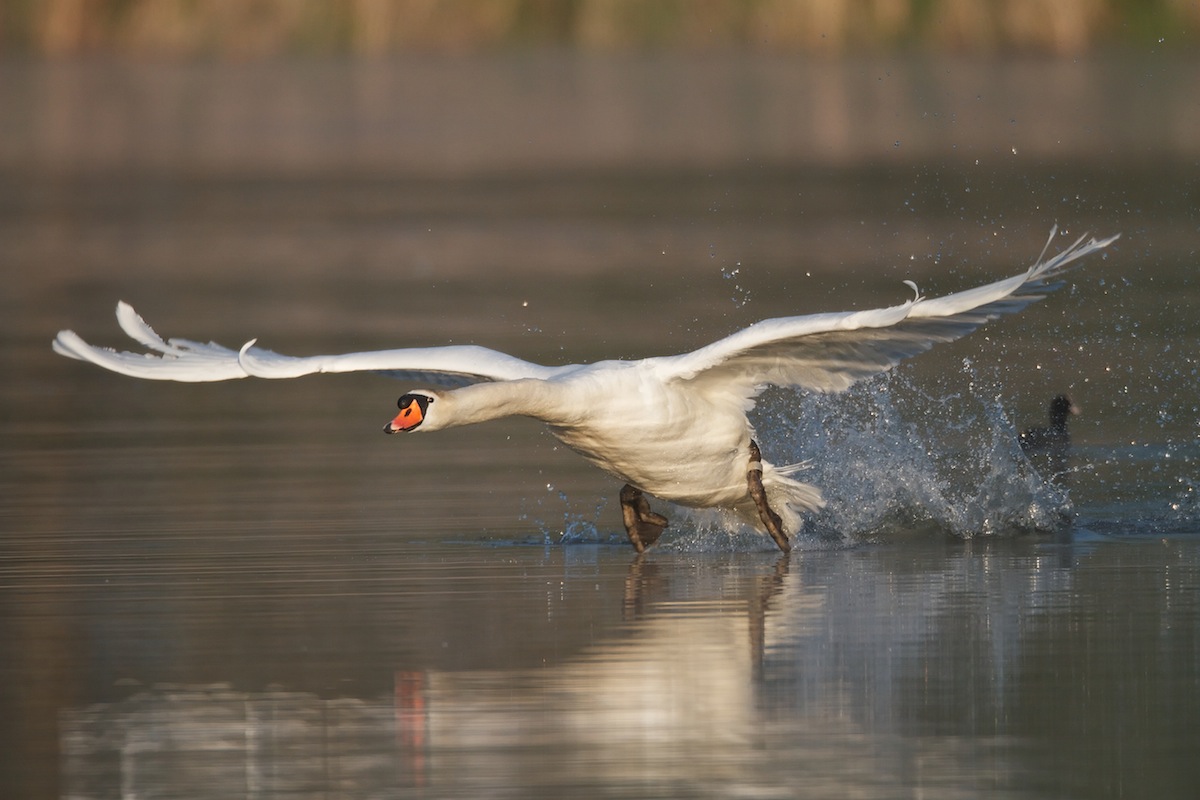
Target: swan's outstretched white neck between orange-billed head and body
{"x": 539, "y": 400}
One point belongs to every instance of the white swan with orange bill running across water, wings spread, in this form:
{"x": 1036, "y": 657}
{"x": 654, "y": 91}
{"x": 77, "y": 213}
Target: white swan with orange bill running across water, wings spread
{"x": 675, "y": 426}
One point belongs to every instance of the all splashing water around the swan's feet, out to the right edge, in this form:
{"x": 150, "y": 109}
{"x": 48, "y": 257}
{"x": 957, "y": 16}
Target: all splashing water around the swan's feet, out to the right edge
{"x": 899, "y": 458}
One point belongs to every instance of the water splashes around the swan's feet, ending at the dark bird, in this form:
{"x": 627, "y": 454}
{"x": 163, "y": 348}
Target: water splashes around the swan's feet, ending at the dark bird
{"x": 895, "y": 461}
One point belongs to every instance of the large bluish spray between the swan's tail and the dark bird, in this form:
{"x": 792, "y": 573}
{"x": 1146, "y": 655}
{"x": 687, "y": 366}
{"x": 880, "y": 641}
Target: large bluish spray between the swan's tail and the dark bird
{"x": 893, "y": 460}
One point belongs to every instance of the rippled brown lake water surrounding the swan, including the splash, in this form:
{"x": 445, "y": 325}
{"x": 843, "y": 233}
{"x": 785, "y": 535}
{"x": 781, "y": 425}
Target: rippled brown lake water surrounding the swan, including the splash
{"x": 245, "y": 590}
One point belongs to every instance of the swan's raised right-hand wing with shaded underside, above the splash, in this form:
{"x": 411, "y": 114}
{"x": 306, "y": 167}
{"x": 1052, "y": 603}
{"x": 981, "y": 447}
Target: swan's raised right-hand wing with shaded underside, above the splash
{"x": 830, "y": 352}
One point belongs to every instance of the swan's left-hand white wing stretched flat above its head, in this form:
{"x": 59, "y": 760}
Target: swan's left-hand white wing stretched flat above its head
{"x": 197, "y": 363}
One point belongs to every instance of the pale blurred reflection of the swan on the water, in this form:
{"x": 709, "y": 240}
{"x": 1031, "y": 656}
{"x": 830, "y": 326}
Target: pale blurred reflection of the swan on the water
{"x": 665, "y": 699}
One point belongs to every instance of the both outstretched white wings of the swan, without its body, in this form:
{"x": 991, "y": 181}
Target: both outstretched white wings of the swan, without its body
{"x": 826, "y": 352}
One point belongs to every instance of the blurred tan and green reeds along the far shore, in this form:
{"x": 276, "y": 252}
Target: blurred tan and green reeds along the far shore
{"x": 374, "y": 28}
